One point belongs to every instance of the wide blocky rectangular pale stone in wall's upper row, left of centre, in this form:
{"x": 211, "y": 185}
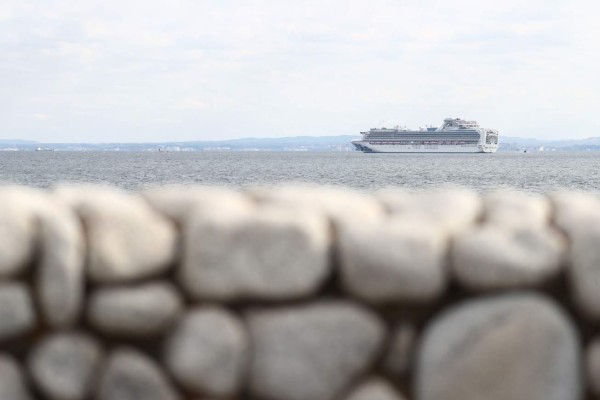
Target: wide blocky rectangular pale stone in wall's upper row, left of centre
{"x": 269, "y": 253}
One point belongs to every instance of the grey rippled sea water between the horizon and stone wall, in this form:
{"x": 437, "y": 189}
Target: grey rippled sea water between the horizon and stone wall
{"x": 539, "y": 172}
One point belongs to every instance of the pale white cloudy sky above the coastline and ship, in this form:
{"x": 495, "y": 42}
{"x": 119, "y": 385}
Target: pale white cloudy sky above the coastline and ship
{"x": 169, "y": 70}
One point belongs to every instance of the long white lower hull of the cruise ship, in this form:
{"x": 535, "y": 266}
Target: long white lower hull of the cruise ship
{"x": 367, "y": 147}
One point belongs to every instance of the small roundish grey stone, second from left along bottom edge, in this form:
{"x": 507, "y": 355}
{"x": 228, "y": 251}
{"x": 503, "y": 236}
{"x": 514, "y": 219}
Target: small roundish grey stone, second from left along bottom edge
{"x": 64, "y": 366}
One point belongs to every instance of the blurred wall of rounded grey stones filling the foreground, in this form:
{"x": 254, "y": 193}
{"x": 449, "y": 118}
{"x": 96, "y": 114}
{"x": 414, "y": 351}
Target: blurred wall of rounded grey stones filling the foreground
{"x": 298, "y": 293}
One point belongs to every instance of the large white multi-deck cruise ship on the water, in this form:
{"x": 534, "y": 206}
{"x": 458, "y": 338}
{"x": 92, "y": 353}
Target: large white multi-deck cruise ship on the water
{"x": 454, "y": 136}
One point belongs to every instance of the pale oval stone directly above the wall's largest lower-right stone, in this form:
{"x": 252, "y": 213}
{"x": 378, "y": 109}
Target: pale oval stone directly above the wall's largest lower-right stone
{"x": 496, "y": 257}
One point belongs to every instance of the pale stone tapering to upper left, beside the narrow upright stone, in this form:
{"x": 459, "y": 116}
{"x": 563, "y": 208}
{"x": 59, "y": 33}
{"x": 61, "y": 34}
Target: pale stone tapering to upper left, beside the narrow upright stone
{"x": 127, "y": 239}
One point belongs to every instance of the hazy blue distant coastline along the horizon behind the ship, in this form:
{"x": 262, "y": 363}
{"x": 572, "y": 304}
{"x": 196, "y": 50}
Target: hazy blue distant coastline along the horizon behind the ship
{"x": 296, "y": 143}
